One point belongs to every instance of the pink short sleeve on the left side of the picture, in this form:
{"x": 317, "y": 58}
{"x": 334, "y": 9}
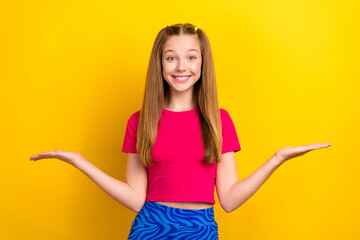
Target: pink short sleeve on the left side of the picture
{"x": 129, "y": 144}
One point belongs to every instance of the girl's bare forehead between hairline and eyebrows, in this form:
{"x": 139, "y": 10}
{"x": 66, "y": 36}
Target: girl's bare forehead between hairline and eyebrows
{"x": 182, "y": 43}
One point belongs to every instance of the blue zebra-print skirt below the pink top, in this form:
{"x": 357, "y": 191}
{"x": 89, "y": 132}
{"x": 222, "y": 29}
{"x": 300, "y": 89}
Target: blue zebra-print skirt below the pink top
{"x": 156, "y": 221}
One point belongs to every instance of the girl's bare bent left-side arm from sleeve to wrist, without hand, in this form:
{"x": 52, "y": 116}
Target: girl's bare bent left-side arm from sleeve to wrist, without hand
{"x": 132, "y": 193}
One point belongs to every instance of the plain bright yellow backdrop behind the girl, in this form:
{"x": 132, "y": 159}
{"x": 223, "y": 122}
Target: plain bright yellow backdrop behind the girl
{"x": 72, "y": 72}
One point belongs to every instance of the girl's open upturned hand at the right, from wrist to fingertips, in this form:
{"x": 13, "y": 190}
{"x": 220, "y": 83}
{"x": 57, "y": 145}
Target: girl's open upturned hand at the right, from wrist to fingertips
{"x": 286, "y": 153}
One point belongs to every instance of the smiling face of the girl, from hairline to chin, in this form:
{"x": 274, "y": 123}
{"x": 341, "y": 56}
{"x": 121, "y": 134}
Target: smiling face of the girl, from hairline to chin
{"x": 181, "y": 57}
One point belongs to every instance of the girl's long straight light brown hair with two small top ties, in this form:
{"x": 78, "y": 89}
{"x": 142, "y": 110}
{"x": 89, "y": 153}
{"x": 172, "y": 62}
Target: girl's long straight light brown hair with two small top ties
{"x": 157, "y": 94}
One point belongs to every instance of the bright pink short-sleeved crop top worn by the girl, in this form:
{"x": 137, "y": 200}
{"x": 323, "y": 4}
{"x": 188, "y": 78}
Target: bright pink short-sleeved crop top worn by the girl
{"x": 177, "y": 174}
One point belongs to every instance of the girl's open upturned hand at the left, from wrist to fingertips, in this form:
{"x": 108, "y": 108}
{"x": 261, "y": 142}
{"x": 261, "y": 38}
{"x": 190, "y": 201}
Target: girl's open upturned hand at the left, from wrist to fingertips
{"x": 69, "y": 157}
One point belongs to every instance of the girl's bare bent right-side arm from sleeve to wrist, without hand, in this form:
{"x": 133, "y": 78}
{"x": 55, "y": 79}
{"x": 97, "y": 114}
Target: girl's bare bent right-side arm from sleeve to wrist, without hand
{"x": 232, "y": 193}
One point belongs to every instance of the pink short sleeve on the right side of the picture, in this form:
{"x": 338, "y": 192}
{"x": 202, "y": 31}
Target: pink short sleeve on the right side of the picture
{"x": 230, "y": 138}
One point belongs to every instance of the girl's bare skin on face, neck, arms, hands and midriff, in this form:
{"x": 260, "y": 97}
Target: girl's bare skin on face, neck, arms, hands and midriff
{"x": 232, "y": 192}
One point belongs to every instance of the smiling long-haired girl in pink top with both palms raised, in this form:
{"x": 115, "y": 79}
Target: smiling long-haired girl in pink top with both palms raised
{"x": 180, "y": 146}
